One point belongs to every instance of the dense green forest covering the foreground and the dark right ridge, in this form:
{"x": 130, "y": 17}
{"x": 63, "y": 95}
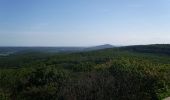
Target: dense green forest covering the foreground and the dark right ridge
{"x": 120, "y": 73}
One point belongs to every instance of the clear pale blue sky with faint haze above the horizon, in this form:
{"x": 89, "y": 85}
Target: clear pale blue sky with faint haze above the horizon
{"x": 84, "y": 22}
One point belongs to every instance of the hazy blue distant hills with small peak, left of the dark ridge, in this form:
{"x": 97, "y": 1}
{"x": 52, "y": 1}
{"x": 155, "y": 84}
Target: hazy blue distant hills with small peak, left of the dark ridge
{"x": 11, "y": 50}
